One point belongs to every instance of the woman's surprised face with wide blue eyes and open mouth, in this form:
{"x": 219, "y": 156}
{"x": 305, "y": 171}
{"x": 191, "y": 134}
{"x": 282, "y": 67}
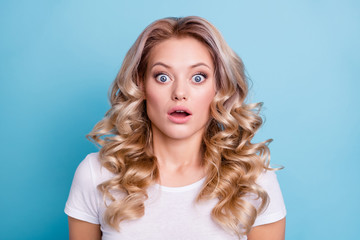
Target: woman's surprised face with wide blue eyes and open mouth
{"x": 179, "y": 87}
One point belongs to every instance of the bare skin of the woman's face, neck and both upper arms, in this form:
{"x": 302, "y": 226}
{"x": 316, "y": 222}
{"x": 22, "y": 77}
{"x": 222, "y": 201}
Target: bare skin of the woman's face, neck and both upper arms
{"x": 178, "y": 62}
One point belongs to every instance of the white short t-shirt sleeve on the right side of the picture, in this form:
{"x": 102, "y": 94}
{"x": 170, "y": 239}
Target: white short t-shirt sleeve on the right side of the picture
{"x": 275, "y": 210}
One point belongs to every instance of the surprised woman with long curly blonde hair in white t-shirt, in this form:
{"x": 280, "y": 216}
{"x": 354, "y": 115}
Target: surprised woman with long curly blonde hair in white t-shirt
{"x": 176, "y": 158}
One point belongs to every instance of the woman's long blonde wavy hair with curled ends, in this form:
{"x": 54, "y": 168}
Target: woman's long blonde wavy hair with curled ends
{"x": 232, "y": 161}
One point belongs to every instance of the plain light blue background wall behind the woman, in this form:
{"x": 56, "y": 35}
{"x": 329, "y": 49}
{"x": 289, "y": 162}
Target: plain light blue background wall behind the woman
{"x": 58, "y": 59}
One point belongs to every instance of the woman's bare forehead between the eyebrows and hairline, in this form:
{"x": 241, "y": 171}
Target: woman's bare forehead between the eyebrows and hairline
{"x": 184, "y": 51}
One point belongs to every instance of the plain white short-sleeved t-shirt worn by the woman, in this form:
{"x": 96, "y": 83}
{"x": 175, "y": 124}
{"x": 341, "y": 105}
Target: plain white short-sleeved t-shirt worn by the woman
{"x": 170, "y": 212}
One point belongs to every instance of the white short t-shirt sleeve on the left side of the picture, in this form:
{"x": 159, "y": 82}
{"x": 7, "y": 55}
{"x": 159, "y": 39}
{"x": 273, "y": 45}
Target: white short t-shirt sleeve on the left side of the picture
{"x": 83, "y": 200}
